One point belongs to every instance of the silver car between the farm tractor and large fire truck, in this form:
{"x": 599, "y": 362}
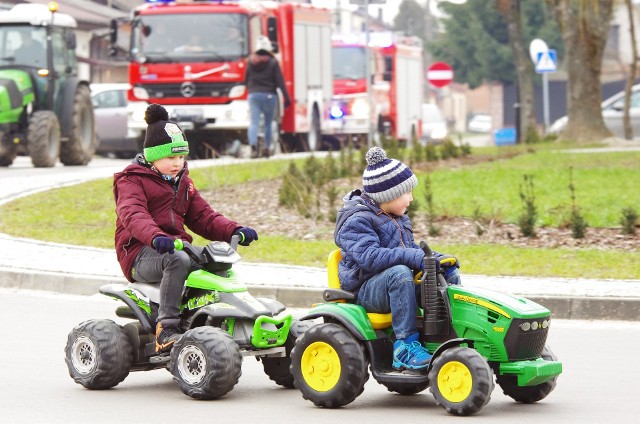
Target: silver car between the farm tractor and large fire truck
{"x": 110, "y": 109}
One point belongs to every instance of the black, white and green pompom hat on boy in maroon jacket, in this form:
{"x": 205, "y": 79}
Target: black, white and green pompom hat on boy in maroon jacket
{"x": 163, "y": 138}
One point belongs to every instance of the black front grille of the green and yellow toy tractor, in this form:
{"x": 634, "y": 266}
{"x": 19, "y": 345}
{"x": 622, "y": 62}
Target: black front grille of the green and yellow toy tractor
{"x": 521, "y": 344}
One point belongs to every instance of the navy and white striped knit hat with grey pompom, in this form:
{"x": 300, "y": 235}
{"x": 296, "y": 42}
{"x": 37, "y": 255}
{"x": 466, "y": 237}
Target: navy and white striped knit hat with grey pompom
{"x": 386, "y": 179}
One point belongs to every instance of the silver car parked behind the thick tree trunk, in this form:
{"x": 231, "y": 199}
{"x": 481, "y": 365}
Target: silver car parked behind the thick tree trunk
{"x": 613, "y": 114}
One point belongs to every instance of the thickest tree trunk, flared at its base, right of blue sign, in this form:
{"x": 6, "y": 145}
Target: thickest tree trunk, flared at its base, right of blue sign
{"x": 585, "y": 27}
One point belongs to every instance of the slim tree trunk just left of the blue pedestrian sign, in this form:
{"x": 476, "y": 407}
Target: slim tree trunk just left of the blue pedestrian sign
{"x": 510, "y": 9}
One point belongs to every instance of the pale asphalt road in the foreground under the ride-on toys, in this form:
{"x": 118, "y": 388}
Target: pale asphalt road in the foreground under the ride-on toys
{"x": 599, "y": 382}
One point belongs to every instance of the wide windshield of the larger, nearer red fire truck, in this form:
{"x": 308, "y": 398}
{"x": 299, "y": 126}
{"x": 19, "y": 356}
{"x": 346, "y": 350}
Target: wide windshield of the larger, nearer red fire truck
{"x": 190, "y": 38}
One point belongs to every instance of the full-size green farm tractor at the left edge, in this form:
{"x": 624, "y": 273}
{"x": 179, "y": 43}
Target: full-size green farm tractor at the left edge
{"x": 45, "y": 109}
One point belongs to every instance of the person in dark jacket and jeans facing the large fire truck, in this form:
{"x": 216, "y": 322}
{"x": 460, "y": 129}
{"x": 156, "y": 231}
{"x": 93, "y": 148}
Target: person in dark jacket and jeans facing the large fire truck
{"x": 264, "y": 77}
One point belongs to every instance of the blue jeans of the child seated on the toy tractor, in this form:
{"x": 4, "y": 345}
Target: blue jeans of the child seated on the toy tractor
{"x": 393, "y": 290}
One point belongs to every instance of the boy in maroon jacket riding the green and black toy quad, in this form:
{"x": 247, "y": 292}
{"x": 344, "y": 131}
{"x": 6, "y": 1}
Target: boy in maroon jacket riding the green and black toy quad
{"x": 155, "y": 200}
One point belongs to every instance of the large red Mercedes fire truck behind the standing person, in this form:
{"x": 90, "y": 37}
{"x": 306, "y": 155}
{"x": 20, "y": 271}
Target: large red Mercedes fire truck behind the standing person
{"x": 191, "y": 57}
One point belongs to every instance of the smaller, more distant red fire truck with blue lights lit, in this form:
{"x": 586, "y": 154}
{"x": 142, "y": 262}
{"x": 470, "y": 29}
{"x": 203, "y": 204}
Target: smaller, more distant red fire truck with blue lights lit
{"x": 397, "y": 84}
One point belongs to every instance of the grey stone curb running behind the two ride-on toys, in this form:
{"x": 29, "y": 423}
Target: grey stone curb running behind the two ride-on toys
{"x": 563, "y": 307}
